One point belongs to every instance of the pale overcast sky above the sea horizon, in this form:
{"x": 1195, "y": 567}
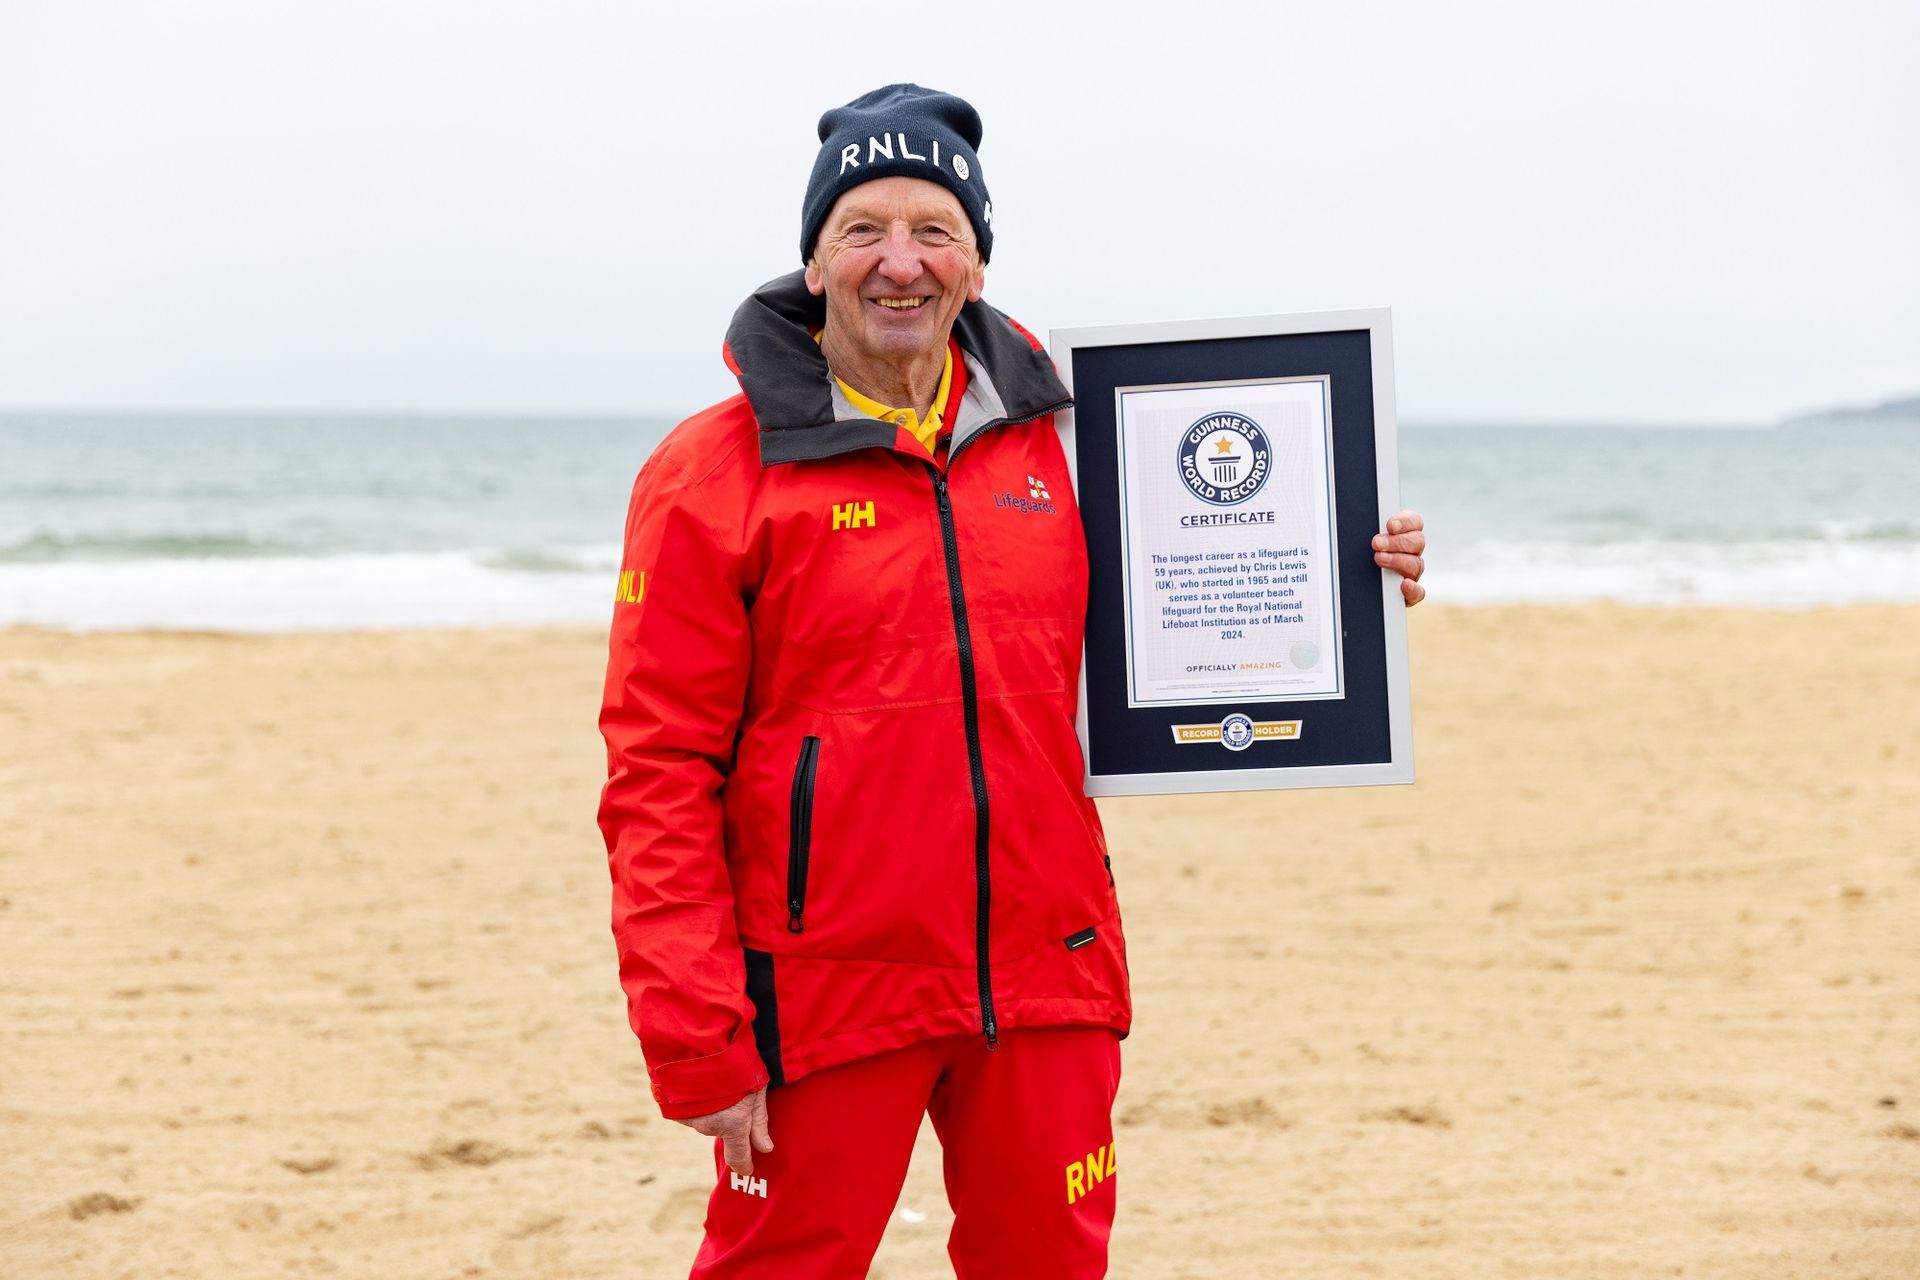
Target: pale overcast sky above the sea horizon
{"x": 1608, "y": 212}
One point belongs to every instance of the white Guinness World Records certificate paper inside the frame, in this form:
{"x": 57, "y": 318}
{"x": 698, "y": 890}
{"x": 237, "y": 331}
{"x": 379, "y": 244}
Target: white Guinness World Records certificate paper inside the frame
{"x": 1228, "y": 515}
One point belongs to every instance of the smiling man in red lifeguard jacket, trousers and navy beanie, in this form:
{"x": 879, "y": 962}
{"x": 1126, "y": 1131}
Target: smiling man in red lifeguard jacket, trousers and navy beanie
{"x": 855, "y": 874}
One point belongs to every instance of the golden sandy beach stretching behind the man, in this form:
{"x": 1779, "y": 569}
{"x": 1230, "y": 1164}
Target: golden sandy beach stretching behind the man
{"x": 304, "y": 970}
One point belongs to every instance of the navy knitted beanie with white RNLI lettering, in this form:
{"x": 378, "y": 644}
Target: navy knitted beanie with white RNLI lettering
{"x": 907, "y": 131}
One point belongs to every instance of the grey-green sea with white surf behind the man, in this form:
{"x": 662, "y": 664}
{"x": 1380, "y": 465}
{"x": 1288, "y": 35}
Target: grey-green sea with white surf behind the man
{"x": 297, "y": 523}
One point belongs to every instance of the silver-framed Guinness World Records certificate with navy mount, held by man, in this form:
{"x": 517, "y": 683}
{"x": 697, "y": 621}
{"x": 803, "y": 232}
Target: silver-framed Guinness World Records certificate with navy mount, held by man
{"x": 1232, "y": 477}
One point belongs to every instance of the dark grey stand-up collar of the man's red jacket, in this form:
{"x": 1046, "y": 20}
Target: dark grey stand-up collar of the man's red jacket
{"x": 773, "y": 352}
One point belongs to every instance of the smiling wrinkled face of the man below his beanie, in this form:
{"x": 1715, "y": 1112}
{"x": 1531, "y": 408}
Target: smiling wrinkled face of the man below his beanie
{"x": 896, "y": 262}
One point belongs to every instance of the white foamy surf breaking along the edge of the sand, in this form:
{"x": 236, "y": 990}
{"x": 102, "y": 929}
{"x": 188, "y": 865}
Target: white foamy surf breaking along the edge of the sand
{"x": 575, "y": 584}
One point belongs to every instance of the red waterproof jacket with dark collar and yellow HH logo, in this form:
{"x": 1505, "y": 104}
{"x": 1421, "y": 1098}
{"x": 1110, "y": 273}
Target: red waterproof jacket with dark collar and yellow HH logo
{"x": 844, "y": 807}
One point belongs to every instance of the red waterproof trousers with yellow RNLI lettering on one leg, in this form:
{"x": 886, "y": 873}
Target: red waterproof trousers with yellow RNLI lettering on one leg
{"x": 1028, "y": 1150}
